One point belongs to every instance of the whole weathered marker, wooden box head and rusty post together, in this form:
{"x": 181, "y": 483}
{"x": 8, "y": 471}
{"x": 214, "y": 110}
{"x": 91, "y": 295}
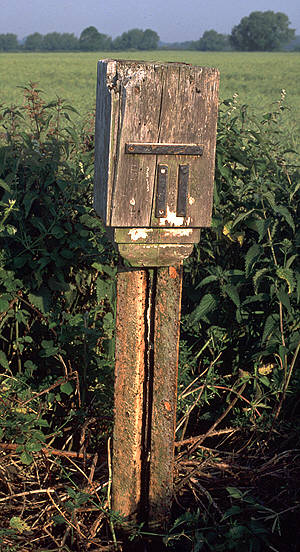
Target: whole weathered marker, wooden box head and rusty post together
{"x": 154, "y": 167}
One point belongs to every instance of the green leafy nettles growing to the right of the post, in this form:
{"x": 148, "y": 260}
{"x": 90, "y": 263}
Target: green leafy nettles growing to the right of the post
{"x": 242, "y": 286}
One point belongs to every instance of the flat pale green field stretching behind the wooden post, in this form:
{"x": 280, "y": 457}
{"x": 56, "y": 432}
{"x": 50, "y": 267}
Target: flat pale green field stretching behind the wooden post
{"x": 257, "y": 77}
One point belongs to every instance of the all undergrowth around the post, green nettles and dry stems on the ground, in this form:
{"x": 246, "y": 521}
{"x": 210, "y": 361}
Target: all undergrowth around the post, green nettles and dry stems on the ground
{"x": 237, "y": 435}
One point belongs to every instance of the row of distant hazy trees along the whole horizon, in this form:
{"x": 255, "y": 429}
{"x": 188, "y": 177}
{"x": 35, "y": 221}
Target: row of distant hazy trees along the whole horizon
{"x": 260, "y": 31}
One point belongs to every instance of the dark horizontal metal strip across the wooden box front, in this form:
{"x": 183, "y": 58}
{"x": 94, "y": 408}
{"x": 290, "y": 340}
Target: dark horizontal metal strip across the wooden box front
{"x": 163, "y": 149}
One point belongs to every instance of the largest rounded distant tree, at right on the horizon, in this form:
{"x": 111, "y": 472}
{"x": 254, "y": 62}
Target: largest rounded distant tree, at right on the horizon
{"x": 262, "y": 31}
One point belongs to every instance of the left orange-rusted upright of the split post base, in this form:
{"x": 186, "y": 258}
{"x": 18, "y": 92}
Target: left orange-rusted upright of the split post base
{"x": 129, "y": 392}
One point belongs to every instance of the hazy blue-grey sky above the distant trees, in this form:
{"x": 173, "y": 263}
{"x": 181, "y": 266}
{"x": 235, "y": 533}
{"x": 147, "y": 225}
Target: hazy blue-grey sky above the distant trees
{"x": 173, "y": 20}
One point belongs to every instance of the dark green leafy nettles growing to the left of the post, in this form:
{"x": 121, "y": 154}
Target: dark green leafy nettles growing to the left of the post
{"x": 56, "y": 270}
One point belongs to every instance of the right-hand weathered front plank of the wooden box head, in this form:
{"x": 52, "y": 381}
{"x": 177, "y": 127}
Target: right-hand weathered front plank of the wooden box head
{"x": 189, "y": 115}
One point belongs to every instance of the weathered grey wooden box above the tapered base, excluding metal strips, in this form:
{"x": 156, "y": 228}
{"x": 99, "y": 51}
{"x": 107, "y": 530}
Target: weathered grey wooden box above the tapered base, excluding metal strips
{"x": 164, "y": 105}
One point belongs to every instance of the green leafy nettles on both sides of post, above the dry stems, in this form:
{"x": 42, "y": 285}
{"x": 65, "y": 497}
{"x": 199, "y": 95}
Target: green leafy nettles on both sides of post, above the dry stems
{"x": 240, "y": 328}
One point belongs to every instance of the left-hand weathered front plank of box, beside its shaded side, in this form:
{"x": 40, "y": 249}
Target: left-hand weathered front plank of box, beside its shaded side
{"x": 139, "y": 108}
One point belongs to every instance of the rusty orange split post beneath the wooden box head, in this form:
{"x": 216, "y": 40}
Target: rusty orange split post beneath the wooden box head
{"x": 147, "y": 343}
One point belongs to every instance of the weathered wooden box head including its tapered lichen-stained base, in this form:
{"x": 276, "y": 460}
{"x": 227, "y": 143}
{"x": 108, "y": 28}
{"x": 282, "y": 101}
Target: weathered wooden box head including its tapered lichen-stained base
{"x": 154, "y": 156}
